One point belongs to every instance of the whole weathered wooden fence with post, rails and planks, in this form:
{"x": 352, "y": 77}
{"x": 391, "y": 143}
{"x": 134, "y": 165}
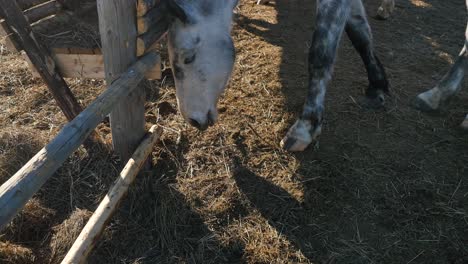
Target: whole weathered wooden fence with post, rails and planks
{"x": 123, "y": 41}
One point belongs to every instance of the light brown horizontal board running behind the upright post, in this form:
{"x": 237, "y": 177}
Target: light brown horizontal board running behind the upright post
{"x": 86, "y": 65}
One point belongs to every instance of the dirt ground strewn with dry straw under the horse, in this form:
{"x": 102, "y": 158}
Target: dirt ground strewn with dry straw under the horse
{"x": 387, "y": 186}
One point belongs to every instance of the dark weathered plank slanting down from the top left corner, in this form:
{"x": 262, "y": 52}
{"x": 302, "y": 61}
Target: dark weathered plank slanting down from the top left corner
{"x": 41, "y": 59}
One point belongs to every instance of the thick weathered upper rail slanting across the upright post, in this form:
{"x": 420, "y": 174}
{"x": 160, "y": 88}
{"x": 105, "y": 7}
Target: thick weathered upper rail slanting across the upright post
{"x": 26, "y": 182}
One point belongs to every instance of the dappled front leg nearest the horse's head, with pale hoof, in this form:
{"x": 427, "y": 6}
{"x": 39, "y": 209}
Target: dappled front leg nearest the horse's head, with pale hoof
{"x": 330, "y": 22}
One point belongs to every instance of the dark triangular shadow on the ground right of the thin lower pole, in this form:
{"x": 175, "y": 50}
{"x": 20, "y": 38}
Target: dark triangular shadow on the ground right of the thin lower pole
{"x": 157, "y": 224}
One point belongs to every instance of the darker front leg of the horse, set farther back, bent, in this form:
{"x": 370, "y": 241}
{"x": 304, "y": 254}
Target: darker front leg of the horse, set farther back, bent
{"x": 359, "y": 31}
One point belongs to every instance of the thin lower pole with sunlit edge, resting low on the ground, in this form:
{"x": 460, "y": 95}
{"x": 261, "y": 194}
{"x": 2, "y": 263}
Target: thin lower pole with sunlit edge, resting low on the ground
{"x": 96, "y": 224}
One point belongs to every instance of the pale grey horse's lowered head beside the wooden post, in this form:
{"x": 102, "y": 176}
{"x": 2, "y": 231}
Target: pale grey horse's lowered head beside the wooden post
{"x": 202, "y": 54}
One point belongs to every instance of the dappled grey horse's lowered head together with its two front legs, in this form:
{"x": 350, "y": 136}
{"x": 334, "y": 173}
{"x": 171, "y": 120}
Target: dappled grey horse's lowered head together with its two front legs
{"x": 202, "y": 57}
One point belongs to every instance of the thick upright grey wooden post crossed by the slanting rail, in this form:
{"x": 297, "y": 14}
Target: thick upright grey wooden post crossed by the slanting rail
{"x": 117, "y": 24}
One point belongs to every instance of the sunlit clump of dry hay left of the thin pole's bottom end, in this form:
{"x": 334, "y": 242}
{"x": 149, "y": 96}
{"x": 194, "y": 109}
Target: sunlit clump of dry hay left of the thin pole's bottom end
{"x": 66, "y": 233}
